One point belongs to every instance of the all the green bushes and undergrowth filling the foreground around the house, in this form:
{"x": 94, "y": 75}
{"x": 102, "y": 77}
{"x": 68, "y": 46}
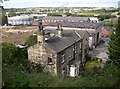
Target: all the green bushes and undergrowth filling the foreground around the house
{"x": 20, "y": 73}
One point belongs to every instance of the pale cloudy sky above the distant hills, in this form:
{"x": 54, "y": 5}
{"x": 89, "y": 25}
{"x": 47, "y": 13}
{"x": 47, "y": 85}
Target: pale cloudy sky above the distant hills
{"x": 59, "y": 3}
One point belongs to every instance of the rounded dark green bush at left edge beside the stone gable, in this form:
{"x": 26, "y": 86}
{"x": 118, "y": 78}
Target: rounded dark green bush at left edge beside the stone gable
{"x": 12, "y": 54}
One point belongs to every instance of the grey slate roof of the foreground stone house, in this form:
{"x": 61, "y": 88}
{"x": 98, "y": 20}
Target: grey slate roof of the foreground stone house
{"x": 58, "y": 44}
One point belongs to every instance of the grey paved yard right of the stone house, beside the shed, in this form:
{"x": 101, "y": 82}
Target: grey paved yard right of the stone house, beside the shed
{"x": 100, "y": 51}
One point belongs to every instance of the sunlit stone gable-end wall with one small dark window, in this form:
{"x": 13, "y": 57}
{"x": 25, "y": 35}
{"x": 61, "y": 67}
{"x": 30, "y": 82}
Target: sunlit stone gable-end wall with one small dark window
{"x": 40, "y": 54}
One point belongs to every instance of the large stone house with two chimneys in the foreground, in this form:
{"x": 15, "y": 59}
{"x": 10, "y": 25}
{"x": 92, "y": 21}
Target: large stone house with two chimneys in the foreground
{"x": 61, "y": 54}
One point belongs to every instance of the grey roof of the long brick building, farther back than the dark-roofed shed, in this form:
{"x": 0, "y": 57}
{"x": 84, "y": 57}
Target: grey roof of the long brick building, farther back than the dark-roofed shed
{"x": 65, "y": 18}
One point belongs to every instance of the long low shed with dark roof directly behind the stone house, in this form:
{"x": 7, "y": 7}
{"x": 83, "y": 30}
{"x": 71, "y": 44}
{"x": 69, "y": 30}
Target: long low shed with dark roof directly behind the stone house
{"x": 94, "y": 30}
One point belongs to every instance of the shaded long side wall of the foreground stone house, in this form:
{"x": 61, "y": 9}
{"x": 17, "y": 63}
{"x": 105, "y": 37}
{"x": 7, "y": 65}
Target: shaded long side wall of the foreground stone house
{"x": 69, "y": 55}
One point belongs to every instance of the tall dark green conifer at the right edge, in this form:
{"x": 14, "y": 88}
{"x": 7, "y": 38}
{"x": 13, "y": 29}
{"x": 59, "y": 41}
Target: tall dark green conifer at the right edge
{"x": 114, "y": 45}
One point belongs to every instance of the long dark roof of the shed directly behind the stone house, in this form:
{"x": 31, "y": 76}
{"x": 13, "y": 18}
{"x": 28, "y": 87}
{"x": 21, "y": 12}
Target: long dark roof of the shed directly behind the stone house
{"x": 76, "y": 24}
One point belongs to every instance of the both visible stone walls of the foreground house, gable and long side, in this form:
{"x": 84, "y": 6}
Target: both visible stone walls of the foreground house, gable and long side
{"x": 40, "y": 53}
